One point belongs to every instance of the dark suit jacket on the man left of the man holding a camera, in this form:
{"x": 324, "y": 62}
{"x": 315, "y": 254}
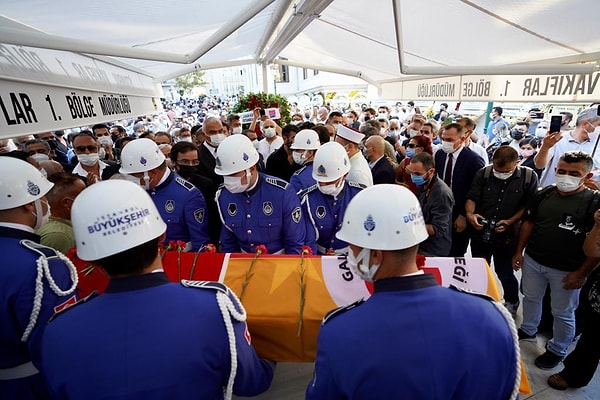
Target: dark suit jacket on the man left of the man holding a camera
{"x": 463, "y": 171}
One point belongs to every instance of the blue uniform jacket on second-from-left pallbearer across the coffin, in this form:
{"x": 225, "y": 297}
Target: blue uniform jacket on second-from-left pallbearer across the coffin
{"x": 268, "y": 214}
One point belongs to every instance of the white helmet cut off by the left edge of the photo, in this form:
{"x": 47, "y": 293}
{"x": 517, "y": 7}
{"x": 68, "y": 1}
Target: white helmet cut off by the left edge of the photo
{"x": 20, "y": 183}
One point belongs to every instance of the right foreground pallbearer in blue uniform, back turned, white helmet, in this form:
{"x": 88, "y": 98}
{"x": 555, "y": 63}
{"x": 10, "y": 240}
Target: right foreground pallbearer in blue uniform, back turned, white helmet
{"x": 412, "y": 339}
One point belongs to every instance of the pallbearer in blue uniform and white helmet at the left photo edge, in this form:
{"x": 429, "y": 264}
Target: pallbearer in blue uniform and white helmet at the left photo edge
{"x": 35, "y": 280}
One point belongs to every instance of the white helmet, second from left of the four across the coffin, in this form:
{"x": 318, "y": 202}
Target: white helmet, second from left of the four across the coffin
{"x": 235, "y": 153}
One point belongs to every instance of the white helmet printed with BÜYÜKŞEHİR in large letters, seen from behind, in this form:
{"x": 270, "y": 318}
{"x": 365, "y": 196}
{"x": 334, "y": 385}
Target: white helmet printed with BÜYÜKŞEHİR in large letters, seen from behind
{"x": 106, "y": 225}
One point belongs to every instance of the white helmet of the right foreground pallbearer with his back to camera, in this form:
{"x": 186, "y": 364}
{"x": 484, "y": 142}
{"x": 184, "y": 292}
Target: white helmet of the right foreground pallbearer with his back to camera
{"x": 369, "y": 225}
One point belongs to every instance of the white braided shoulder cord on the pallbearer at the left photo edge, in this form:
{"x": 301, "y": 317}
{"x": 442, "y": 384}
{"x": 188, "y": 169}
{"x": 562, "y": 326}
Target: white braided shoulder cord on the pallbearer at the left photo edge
{"x": 44, "y": 270}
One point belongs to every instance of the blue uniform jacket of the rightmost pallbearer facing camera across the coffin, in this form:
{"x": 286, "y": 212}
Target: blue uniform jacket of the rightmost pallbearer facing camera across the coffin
{"x": 324, "y": 216}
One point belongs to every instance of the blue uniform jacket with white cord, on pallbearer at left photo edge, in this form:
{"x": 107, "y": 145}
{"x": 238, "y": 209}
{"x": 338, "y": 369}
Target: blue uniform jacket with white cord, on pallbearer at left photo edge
{"x": 18, "y": 272}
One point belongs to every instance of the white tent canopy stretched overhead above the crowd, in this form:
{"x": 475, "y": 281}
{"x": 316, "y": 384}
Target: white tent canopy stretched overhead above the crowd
{"x": 385, "y": 42}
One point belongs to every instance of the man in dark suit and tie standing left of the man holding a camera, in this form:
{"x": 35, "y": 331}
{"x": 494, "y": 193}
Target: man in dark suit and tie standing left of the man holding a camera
{"x": 456, "y": 166}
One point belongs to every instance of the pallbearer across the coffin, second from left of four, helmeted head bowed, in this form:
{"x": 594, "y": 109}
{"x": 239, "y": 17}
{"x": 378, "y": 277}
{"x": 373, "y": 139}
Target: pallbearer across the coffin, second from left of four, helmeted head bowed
{"x": 255, "y": 208}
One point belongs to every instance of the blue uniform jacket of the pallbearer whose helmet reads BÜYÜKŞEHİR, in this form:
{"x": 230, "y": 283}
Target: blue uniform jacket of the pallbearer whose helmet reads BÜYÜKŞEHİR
{"x": 146, "y": 338}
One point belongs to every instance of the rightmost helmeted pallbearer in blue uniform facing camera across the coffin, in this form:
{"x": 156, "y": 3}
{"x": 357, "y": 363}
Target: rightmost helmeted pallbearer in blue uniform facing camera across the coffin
{"x": 325, "y": 202}
